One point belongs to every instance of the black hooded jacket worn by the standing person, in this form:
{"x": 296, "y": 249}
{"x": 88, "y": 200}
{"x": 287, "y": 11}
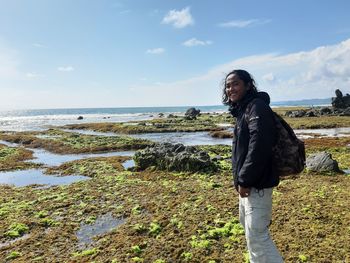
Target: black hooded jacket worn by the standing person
{"x": 254, "y": 137}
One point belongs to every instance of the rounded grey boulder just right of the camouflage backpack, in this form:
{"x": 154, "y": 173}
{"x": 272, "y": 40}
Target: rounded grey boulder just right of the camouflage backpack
{"x": 322, "y": 162}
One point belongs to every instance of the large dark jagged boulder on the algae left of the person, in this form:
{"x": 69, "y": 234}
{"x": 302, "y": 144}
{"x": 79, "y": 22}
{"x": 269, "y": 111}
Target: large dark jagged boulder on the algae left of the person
{"x": 174, "y": 157}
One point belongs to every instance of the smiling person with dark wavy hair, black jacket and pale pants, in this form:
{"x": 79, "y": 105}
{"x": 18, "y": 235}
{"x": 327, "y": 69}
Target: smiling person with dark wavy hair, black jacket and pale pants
{"x": 254, "y": 137}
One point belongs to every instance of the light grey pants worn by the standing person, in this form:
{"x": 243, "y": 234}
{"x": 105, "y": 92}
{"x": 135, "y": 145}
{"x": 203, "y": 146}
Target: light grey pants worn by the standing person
{"x": 255, "y": 216}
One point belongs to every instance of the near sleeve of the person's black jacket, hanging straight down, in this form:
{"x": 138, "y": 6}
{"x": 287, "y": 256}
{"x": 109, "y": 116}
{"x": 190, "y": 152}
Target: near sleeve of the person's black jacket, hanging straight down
{"x": 261, "y": 140}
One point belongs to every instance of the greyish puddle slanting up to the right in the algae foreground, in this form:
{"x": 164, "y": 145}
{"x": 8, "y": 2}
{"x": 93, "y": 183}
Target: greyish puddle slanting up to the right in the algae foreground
{"x": 102, "y": 225}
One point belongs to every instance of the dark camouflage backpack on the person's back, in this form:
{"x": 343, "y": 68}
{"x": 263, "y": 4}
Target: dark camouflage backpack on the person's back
{"x": 288, "y": 153}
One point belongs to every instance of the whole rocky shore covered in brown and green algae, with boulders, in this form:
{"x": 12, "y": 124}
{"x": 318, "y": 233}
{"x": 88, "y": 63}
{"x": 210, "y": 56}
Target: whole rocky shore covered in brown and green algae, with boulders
{"x": 177, "y": 203}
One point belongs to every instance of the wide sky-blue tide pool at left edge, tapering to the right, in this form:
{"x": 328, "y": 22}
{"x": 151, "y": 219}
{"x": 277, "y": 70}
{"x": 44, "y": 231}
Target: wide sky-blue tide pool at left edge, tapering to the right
{"x": 36, "y": 176}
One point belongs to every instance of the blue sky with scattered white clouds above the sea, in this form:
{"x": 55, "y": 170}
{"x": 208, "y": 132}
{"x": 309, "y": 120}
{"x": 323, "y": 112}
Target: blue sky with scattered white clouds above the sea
{"x": 134, "y": 53}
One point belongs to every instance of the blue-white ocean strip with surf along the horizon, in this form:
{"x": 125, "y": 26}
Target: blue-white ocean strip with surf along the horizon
{"x": 40, "y": 119}
